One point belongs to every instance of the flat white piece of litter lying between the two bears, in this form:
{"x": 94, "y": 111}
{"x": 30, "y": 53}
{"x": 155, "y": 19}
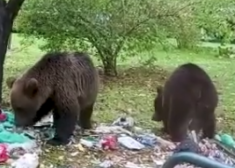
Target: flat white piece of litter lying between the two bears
{"x": 130, "y": 143}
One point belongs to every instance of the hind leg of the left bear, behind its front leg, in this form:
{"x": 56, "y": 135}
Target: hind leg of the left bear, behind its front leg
{"x": 85, "y": 117}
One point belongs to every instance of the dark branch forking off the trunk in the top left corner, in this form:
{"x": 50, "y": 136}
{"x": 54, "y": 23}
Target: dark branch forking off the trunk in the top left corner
{"x": 13, "y": 7}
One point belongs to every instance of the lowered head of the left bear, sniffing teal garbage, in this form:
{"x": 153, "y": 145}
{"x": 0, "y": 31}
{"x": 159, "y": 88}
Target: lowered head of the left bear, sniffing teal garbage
{"x": 25, "y": 99}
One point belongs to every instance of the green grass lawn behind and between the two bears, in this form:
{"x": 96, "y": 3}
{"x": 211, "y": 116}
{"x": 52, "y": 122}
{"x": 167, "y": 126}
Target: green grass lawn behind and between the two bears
{"x": 134, "y": 90}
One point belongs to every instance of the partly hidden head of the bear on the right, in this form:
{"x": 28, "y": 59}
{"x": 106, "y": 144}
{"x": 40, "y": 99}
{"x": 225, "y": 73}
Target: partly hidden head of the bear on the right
{"x": 158, "y": 103}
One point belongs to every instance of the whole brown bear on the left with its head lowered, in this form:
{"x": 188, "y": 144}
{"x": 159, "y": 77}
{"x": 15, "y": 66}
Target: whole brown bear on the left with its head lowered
{"x": 61, "y": 82}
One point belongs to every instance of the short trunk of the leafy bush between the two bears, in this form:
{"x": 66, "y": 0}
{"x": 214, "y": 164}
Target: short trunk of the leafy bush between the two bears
{"x": 110, "y": 66}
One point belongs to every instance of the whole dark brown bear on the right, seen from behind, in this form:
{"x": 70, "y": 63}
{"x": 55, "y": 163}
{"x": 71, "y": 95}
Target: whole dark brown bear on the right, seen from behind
{"x": 187, "y": 102}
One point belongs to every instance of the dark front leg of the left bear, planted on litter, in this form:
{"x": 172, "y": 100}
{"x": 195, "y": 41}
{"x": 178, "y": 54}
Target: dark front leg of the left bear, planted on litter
{"x": 65, "y": 122}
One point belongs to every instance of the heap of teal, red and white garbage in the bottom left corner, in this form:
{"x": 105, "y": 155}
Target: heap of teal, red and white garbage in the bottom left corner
{"x": 16, "y": 148}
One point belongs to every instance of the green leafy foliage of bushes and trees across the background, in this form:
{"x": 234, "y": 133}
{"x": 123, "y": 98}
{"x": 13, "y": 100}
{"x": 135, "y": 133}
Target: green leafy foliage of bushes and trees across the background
{"x": 111, "y": 26}
